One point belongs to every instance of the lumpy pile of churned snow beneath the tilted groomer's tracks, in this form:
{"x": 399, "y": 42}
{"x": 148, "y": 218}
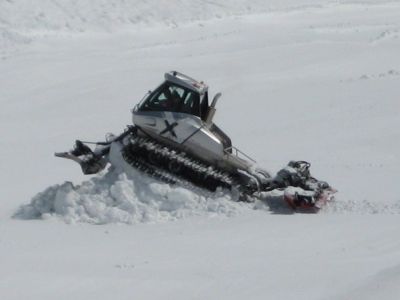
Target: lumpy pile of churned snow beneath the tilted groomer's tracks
{"x": 115, "y": 198}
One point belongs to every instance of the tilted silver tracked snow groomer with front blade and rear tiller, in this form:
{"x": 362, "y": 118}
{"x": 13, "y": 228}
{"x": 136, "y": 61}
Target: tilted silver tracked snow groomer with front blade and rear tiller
{"x": 174, "y": 139}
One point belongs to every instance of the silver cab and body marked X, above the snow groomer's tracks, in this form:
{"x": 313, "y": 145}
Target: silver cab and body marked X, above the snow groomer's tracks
{"x": 177, "y": 112}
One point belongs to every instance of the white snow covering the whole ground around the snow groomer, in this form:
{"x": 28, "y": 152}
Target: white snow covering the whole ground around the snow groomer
{"x": 301, "y": 79}
